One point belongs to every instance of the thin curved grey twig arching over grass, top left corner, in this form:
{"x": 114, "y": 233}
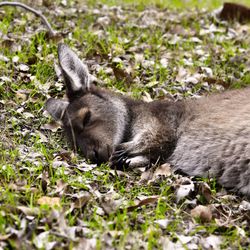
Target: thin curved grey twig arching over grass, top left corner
{"x": 52, "y": 33}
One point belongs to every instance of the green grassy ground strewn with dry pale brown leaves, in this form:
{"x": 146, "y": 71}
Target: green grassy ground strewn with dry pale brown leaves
{"x": 52, "y": 198}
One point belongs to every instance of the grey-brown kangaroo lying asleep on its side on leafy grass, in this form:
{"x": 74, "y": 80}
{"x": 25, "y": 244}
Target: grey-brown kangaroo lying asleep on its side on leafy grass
{"x": 209, "y": 136}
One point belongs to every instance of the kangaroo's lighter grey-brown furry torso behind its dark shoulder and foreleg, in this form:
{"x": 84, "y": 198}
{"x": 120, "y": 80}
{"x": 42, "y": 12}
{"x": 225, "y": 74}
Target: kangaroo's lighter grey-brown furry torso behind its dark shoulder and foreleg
{"x": 214, "y": 139}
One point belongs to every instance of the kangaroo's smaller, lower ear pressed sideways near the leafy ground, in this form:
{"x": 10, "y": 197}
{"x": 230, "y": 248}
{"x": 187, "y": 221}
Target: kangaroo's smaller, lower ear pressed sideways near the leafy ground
{"x": 56, "y": 108}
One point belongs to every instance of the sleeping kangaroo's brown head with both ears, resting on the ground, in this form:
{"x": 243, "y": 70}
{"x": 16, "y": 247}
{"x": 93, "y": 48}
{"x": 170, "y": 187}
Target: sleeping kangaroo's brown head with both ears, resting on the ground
{"x": 93, "y": 119}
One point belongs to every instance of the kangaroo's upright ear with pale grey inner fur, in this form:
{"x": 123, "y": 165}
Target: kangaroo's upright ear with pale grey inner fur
{"x": 75, "y": 73}
